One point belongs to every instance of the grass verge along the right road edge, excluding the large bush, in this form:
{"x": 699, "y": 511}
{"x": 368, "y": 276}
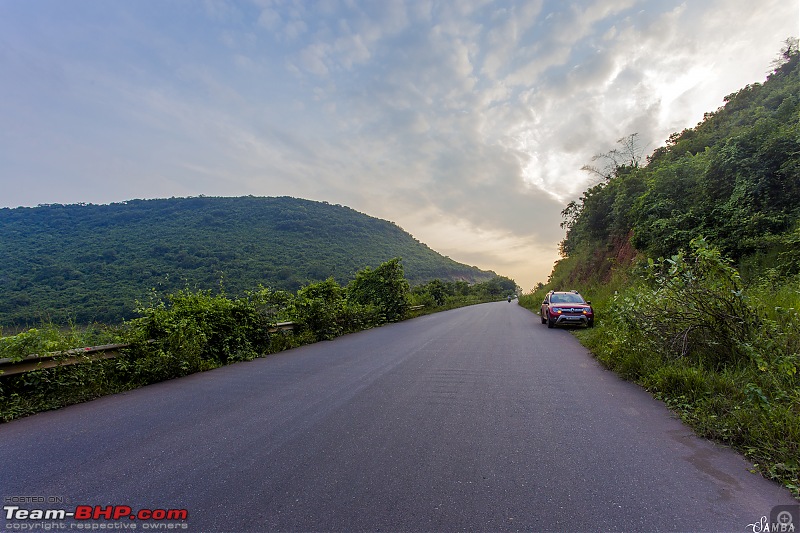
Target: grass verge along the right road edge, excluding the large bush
{"x": 750, "y": 402}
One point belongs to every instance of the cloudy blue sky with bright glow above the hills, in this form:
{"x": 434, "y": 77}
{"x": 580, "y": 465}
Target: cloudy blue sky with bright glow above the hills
{"x": 466, "y": 122}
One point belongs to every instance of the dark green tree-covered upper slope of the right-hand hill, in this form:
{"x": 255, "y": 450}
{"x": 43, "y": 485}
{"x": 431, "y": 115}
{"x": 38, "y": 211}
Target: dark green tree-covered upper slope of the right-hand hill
{"x": 734, "y": 179}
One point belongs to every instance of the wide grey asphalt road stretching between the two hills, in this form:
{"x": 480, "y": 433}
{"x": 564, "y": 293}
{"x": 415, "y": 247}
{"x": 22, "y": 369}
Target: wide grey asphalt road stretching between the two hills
{"x": 477, "y": 419}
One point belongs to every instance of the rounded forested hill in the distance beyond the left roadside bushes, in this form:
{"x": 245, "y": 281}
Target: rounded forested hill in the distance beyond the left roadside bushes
{"x": 91, "y": 262}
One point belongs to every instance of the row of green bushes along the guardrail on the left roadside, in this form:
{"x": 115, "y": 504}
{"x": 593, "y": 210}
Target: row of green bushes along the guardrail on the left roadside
{"x": 189, "y": 331}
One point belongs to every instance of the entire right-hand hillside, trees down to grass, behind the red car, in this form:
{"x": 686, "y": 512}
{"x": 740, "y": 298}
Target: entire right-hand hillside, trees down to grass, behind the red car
{"x": 692, "y": 262}
